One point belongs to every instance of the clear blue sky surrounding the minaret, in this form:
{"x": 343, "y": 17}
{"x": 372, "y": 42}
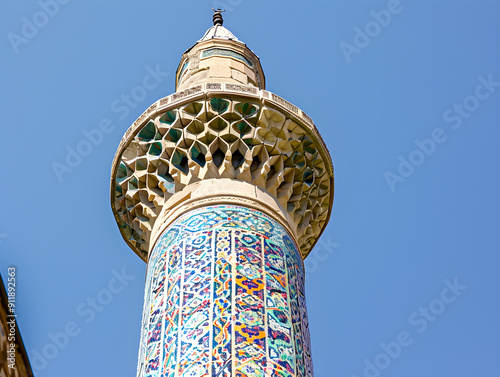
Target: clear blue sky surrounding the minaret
{"x": 410, "y": 218}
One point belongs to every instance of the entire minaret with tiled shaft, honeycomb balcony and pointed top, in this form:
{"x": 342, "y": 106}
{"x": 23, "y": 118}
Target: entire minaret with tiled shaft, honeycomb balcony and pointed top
{"x": 223, "y": 188}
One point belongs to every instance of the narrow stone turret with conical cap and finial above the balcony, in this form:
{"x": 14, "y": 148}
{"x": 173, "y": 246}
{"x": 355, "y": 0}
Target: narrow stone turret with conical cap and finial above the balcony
{"x": 219, "y": 56}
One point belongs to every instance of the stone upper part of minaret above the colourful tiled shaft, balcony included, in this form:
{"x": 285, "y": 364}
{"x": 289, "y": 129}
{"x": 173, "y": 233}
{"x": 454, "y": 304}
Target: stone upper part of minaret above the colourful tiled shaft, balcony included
{"x": 221, "y": 139}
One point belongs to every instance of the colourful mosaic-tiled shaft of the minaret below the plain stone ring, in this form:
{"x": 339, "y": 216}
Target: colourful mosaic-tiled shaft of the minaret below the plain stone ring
{"x": 225, "y": 297}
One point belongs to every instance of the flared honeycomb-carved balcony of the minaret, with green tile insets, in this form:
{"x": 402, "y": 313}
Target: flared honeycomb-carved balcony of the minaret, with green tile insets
{"x": 221, "y": 130}
